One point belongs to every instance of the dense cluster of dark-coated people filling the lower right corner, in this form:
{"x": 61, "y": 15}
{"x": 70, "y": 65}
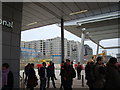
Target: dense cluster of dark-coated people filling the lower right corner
{"x": 102, "y": 76}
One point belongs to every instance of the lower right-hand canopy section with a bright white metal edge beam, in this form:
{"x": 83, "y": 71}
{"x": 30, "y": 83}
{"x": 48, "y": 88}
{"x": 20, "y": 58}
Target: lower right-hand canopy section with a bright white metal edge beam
{"x": 97, "y": 28}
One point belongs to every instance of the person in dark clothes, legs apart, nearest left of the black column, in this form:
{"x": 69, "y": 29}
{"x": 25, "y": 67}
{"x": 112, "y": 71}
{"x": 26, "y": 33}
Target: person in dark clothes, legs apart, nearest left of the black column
{"x": 51, "y": 74}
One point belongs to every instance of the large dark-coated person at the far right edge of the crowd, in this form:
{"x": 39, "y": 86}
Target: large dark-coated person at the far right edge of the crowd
{"x": 112, "y": 75}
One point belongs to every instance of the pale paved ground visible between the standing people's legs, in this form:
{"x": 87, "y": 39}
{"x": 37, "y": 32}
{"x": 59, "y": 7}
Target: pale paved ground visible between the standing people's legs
{"x": 77, "y": 84}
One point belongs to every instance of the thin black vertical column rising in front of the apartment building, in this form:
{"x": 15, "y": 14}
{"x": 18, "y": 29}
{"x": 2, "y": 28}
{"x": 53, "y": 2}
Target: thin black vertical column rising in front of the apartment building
{"x": 62, "y": 39}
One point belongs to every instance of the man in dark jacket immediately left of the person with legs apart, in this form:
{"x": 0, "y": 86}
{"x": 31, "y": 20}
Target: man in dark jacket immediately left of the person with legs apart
{"x": 43, "y": 76}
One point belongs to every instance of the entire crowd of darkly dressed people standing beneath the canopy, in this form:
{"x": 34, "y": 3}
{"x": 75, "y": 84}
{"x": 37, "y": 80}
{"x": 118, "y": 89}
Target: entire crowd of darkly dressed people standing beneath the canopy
{"x": 99, "y": 76}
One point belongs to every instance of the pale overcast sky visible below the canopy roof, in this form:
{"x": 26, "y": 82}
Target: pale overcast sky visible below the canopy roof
{"x": 52, "y": 31}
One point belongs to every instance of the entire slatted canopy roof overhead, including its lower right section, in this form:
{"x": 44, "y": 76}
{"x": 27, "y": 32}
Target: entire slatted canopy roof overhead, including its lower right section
{"x": 99, "y": 18}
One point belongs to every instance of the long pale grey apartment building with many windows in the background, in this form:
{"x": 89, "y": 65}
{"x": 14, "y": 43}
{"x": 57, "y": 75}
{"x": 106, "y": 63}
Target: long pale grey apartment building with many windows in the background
{"x": 51, "y": 49}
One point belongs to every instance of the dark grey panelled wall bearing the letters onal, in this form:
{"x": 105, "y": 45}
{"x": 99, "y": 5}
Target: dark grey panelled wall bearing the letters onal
{"x": 12, "y": 11}
